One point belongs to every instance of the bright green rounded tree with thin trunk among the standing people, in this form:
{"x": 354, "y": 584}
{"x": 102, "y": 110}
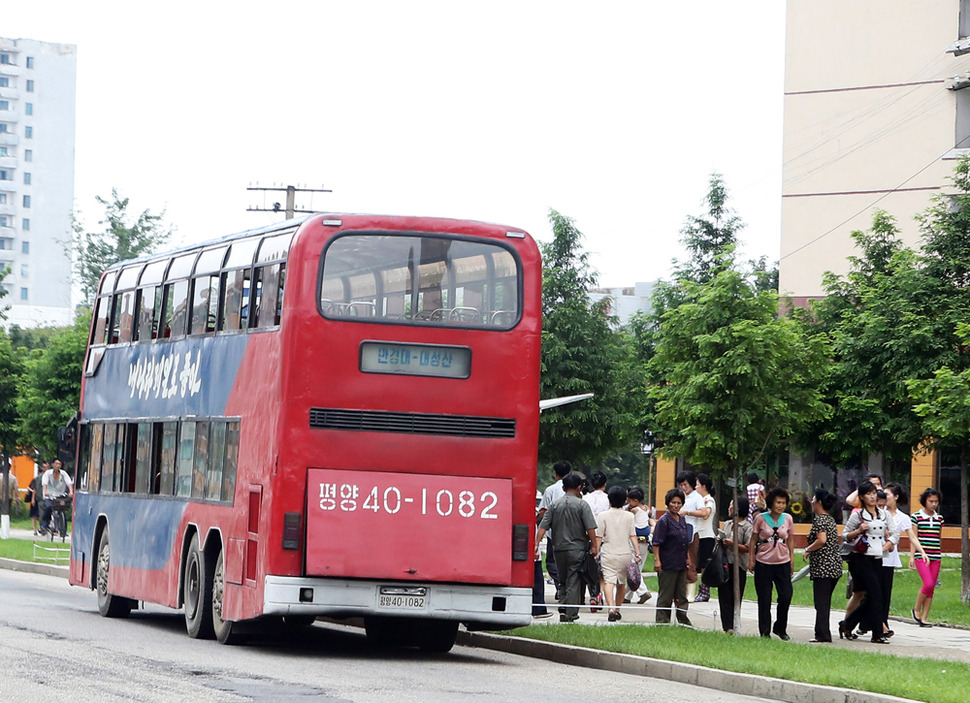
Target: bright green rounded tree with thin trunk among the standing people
{"x": 731, "y": 377}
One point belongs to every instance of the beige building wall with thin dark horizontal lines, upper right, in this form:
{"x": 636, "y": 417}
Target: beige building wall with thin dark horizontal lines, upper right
{"x": 875, "y": 115}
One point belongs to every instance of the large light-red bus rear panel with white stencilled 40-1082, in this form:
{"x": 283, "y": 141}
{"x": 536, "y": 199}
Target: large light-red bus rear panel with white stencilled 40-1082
{"x": 430, "y": 526}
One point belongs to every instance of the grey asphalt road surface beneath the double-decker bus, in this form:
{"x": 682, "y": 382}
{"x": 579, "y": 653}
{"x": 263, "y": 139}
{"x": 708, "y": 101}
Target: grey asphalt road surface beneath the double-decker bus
{"x": 55, "y": 646}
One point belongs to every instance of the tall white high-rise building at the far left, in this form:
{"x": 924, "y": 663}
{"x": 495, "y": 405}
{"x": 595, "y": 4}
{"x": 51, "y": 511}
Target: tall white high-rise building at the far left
{"x": 37, "y": 86}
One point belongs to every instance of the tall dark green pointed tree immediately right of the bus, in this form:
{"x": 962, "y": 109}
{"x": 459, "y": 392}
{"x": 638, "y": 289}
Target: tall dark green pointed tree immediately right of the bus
{"x": 582, "y": 352}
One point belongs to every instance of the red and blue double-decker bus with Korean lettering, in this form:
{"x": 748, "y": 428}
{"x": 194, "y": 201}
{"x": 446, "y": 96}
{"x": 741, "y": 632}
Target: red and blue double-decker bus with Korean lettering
{"x": 330, "y": 417}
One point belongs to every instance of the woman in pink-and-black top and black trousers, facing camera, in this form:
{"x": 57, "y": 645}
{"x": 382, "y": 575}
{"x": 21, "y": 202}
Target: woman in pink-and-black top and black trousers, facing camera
{"x": 771, "y": 545}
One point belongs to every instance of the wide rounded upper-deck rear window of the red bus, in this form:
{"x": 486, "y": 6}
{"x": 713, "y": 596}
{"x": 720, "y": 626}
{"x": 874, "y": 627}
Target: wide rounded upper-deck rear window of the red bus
{"x": 427, "y": 280}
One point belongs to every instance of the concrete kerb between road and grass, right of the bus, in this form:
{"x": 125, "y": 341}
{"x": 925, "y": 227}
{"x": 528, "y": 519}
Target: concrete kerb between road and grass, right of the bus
{"x": 728, "y": 681}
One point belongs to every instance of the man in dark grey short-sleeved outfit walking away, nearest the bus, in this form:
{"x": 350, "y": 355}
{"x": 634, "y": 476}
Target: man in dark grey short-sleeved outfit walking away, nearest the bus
{"x": 573, "y": 530}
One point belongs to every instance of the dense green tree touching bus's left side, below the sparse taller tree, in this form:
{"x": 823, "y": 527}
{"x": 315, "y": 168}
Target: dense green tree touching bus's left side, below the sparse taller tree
{"x": 51, "y": 387}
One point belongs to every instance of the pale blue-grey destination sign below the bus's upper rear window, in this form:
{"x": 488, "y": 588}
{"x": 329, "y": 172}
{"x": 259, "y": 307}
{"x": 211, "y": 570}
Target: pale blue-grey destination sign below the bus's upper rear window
{"x": 415, "y": 359}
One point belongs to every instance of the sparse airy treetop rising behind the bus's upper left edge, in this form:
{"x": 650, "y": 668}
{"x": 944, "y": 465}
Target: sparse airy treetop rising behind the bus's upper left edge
{"x": 125, "y": 236}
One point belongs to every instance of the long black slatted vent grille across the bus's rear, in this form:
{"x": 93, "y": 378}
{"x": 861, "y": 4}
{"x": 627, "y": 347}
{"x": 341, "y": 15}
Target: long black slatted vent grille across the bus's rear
{"x": 411, "y": 423}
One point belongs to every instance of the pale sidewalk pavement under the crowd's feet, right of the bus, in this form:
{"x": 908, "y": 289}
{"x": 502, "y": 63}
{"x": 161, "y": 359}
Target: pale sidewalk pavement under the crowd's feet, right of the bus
{"x": 941, "y": 642}
